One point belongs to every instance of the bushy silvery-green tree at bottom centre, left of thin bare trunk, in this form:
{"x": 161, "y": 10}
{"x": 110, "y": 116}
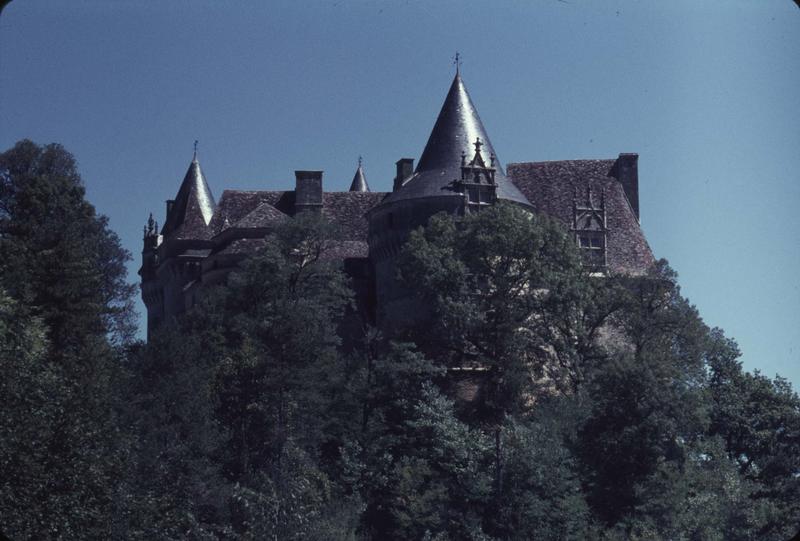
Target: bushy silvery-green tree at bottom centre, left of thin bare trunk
{"x": 424, "y": 472}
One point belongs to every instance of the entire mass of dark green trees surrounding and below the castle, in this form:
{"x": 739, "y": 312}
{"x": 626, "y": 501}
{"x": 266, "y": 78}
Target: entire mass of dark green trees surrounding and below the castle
{"x": 537, "y": 401}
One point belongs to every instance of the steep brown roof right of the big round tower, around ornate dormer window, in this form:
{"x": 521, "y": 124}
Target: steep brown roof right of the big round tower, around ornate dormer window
{"x": 550, "y": 187}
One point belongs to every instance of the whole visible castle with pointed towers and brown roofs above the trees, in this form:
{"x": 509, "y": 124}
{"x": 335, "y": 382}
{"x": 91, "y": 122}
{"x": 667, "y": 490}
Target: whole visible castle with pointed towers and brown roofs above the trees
{"x": 202, "y": 240}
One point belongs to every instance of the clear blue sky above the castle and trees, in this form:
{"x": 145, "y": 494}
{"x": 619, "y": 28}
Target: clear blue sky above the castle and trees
{"x": 705, "y": 92}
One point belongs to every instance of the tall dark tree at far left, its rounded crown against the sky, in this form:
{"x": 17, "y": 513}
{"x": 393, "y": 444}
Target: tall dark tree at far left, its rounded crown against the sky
{"x": 58, "y": 257}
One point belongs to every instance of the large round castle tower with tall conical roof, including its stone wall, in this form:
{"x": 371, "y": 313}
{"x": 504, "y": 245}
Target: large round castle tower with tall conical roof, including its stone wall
{"x": 459, "y": 172}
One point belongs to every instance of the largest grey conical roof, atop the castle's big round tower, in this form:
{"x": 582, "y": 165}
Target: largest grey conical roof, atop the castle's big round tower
{"x": 454, "y": 134}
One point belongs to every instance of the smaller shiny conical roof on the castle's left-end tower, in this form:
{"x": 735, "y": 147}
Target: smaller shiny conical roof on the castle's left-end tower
{"x": 194, "y": 206}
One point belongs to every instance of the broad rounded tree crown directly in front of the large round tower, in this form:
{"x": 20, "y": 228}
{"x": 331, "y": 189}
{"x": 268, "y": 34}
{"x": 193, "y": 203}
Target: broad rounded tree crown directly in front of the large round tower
{"x": 507, "y": 294}
